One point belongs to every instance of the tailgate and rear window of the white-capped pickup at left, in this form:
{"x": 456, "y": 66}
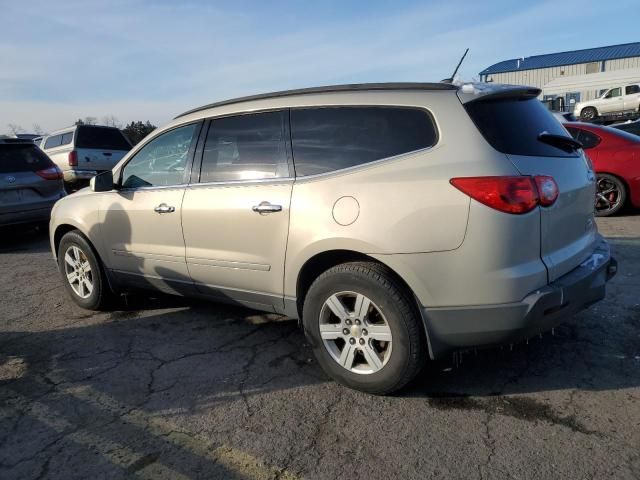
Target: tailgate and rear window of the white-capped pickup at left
{"x": 99, "y": 148}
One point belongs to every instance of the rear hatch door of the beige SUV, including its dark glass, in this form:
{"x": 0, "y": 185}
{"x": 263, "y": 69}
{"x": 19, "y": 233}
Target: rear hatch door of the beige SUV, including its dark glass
{"x": 517, "y": 124}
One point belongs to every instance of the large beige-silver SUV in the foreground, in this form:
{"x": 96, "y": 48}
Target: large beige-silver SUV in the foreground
{"x": 398, "y": 222}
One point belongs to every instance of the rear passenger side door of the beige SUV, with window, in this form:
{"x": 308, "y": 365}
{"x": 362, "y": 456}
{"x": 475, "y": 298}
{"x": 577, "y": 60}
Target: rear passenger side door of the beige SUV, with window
{"x": 235, "y": 214}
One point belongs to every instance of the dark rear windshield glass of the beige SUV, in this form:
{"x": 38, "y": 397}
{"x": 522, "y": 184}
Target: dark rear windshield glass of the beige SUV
{"x": 512, "y": 126}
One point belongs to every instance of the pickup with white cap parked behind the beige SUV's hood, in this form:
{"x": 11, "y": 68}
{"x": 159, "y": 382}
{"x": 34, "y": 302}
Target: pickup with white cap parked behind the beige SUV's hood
{"x": 83, "y": 151}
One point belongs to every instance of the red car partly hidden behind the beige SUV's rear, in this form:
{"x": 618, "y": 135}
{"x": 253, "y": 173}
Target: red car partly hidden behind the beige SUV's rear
{"x": 615, "y": 155}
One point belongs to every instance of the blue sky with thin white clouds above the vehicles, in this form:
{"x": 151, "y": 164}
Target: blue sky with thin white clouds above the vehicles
{"x": 138, "y": 60}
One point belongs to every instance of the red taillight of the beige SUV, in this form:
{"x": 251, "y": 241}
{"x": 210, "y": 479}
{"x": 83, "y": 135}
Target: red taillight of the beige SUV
{"x": 516, "y": 195}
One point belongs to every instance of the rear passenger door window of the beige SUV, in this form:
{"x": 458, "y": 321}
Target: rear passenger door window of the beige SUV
{"x": 245, "y": 147}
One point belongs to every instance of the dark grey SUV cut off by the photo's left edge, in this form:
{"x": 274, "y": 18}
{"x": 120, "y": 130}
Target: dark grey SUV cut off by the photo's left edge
{"x": 30, "y": 183}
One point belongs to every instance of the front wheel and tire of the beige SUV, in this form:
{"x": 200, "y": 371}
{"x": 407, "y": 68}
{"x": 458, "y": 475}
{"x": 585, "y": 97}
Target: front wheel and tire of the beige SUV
{"x": 77, "y": 246}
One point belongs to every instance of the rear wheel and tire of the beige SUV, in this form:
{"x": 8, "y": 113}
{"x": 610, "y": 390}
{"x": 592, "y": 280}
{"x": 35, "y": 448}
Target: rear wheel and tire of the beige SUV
{"x": 391, "y": 314}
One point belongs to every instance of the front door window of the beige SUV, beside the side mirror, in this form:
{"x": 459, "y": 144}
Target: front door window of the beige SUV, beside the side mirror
{"x": 162, "y": 161}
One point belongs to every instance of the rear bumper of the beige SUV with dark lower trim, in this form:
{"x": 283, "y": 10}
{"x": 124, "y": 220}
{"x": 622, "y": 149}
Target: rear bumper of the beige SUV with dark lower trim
{"x": 478, "y": 326}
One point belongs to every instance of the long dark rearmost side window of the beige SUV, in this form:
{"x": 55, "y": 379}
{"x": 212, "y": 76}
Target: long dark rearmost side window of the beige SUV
{"x": 331, "y": 138}
